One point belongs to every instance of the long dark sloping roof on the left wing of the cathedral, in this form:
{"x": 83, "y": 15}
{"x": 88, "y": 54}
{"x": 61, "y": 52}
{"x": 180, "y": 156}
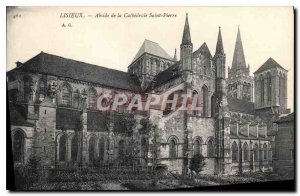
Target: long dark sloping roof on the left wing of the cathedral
{"x": 58, "y": 66}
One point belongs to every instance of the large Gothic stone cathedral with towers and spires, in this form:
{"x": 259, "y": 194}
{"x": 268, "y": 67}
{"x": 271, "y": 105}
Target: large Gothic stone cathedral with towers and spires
{"x": 53, "y": 114}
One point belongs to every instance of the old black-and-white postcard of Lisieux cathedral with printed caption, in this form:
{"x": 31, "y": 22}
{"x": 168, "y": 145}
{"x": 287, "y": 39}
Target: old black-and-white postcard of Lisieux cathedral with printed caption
{"x": 150, "y": 98}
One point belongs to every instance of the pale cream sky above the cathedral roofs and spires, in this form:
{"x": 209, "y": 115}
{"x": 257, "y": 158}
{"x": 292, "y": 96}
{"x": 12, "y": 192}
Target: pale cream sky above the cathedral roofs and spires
{"x": 114, "y": 41}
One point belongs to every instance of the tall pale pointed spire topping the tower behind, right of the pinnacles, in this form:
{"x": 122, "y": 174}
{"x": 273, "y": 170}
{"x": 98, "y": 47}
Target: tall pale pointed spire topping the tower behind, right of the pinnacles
{"x": 238, "y": 61}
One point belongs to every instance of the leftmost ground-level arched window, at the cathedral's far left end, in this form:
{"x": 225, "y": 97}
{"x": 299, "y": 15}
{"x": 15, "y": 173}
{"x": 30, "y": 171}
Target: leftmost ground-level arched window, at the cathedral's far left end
{"x": 18, "y": 146}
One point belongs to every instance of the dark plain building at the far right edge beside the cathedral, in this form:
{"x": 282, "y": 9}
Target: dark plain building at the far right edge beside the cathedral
{"x": 284, "y": 146}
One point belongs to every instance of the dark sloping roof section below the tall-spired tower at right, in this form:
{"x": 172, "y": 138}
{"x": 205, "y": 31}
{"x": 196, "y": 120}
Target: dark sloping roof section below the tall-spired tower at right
{"x": 239, "y": 105}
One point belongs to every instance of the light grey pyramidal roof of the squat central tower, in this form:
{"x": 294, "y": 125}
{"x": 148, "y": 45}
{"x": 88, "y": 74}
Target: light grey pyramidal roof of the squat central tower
{"x": 153, "y": 48}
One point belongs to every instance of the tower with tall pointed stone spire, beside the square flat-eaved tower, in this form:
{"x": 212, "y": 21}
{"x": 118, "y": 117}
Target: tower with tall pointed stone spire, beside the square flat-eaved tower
{"x": 240, "y": 83}
